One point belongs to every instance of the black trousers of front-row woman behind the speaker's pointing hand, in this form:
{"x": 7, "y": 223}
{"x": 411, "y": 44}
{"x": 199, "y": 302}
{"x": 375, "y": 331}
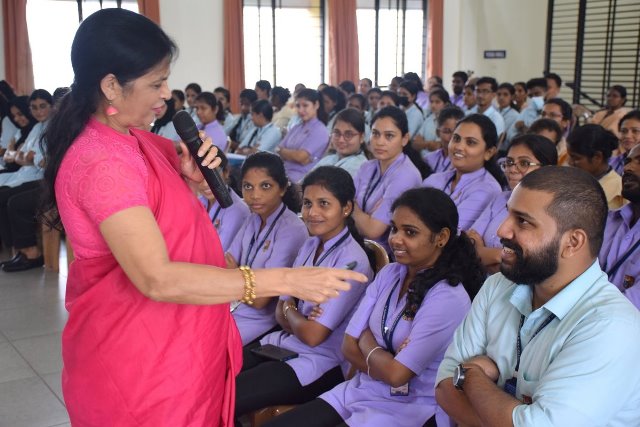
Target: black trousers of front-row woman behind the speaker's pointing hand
{"x": 264, "y": 383}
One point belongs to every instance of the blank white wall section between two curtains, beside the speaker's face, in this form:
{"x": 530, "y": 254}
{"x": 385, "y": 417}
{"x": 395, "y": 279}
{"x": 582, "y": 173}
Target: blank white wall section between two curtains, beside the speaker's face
{"x": 197, "y": 28}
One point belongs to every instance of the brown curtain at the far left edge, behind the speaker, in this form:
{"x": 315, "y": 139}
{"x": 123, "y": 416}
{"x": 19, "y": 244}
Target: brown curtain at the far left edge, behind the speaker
{"x": 17, "y": 52}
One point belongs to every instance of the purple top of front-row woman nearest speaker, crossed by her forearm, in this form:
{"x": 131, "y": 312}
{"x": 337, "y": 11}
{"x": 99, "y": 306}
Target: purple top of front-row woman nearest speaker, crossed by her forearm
{"x": 276, "y": 245}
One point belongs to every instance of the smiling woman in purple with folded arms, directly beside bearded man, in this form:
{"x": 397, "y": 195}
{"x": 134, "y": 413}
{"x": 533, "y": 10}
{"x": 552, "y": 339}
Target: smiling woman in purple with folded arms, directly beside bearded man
{"x": 398, "y": 335}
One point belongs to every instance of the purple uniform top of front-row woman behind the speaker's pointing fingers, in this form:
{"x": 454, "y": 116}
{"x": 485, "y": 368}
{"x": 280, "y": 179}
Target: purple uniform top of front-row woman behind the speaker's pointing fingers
{"x": 313, "y": 362}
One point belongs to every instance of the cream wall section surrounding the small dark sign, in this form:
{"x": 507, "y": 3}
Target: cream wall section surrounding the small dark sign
{"x": 473, "y": 26}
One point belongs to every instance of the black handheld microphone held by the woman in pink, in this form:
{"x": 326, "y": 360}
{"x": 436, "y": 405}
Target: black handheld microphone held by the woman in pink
{"x": 188, "y": 132}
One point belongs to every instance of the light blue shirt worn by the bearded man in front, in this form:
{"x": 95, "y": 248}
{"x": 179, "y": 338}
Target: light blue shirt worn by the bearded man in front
{"x": 580, "y": 370}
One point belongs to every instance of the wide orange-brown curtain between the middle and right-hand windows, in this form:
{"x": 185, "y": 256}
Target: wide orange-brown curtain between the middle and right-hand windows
{"x": 343, "y": 41}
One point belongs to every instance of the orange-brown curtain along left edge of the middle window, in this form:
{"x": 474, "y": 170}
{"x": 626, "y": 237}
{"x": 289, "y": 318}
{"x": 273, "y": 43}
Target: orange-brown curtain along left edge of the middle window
{"x": 233, "y": 51}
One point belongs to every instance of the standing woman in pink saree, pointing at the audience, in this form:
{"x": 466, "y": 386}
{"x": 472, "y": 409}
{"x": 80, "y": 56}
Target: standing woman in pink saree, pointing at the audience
{"x": 150, "y": 340}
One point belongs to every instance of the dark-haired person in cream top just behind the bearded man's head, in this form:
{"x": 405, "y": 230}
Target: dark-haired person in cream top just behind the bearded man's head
{"x": 590, "y": 148}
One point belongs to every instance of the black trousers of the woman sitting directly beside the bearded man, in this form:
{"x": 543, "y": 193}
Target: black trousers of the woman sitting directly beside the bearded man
{"x": 316, "y": 413}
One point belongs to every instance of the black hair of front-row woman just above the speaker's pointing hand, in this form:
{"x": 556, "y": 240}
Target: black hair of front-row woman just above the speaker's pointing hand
{"x": 339, "y": 183}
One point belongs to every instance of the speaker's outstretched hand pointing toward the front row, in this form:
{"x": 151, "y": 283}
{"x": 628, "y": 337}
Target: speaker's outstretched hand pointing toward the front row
{"x": 318, "y": 284}
